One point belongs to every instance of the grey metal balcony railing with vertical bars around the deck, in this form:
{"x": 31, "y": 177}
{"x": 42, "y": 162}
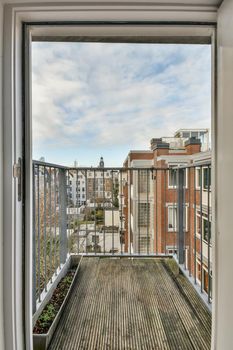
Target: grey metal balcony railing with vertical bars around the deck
{"x": 121, "y": 212}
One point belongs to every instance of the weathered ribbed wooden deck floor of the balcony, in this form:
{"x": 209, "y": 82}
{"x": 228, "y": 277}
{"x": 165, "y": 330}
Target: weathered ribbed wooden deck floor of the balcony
{"x": 132, "y": 304}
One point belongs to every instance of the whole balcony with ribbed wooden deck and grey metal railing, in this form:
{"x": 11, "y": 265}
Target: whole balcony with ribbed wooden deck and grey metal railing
{"x": 145, "y": 276}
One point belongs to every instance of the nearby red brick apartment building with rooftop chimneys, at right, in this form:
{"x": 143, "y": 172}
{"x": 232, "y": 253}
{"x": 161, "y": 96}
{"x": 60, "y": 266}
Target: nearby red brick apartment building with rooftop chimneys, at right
{"x": 150, "y": 195}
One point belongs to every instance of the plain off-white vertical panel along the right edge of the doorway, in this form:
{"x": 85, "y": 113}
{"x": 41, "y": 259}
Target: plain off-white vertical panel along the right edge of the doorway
{"x": 223, "y": 310}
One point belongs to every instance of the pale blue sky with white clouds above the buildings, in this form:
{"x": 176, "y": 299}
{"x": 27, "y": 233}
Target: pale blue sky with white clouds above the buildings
{"x": 101, "y": 99}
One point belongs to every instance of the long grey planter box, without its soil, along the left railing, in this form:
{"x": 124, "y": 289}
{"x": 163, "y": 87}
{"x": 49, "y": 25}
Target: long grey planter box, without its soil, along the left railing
{"x": 42, "y": 341}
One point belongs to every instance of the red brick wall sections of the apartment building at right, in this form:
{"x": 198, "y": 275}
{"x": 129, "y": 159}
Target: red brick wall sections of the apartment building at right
{"x": 165, "y": 201}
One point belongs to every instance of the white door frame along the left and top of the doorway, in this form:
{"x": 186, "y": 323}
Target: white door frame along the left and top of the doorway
{"x": 172, "y": 21}
